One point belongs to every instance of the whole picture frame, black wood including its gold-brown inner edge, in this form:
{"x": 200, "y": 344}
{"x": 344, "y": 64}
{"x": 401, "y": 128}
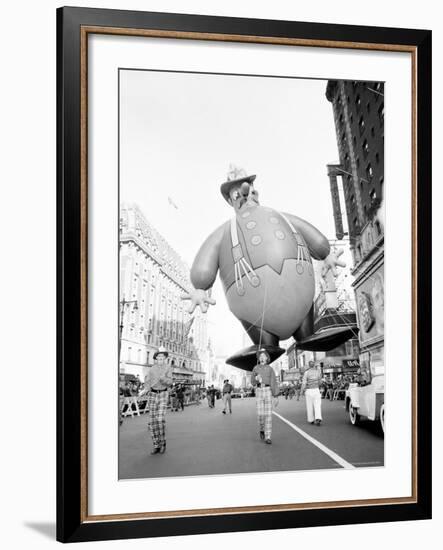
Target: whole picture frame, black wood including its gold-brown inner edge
{"x": 74, "y": 523}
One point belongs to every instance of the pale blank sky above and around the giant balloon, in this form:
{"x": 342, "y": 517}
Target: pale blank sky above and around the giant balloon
{"x": 179, "y": 132}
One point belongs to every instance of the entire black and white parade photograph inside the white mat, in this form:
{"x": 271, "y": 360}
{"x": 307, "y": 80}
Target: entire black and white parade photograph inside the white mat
{"x": 251, "y": 274}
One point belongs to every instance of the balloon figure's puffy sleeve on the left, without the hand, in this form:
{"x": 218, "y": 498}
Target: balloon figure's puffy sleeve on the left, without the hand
{"x": 205, "y": 267}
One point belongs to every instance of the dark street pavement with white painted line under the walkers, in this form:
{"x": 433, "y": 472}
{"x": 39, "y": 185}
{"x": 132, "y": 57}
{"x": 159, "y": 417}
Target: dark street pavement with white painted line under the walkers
{"x": 203, "y": 441}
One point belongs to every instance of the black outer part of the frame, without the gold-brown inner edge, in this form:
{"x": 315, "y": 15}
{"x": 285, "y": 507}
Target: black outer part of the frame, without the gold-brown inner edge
{"x": 70, "y": 527}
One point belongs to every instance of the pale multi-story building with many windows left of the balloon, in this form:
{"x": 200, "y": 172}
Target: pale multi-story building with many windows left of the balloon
{"x": 152, "y": 279}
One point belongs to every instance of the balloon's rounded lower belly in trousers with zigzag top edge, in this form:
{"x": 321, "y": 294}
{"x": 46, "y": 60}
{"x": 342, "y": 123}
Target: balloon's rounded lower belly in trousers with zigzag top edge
{"x": 280, "y": 302}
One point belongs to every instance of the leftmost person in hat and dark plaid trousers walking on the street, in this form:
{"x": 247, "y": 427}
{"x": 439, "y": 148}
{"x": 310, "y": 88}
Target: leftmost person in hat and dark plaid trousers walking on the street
{"x": 157, "y": 382}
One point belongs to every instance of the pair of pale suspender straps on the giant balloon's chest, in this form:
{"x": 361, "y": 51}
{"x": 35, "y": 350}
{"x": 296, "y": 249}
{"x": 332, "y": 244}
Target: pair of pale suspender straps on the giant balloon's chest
{"x": 242, "y": 267}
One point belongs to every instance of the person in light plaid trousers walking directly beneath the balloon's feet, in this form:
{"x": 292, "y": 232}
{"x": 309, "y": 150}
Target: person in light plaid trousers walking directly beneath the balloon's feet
{"x": 264, "y": 379}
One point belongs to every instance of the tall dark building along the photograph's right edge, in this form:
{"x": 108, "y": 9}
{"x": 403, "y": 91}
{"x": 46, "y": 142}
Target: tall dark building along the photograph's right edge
{"x": 358, "y": 109}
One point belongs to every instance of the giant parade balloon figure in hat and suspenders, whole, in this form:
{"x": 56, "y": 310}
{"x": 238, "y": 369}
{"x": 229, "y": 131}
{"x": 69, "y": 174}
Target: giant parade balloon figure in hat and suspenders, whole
{"x": 264, "y": 258}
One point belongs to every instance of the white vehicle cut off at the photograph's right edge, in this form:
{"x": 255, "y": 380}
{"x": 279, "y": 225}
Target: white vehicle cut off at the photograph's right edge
{"x": 366, "y": 399}
